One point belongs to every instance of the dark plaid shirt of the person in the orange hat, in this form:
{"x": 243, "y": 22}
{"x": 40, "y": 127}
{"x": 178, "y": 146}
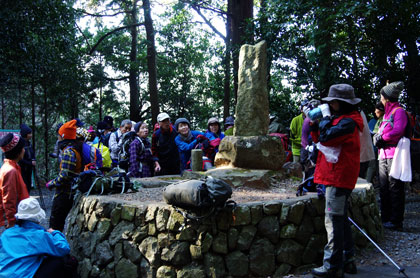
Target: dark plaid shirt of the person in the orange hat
{"x": 67, "y": 170}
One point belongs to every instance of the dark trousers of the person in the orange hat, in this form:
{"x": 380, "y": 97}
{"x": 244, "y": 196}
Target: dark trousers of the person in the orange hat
{"x": 62, "y": 204}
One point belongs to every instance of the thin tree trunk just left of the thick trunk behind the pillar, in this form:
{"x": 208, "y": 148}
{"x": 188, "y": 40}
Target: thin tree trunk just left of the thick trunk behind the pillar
{"x": 226, "y": 85}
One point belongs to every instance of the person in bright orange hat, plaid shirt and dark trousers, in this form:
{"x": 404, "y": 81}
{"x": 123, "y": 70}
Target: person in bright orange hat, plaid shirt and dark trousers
{"x": 70, "y": 167}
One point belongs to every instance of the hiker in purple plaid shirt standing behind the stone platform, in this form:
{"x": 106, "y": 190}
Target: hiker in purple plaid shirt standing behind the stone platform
{"x": 142, "y": 163}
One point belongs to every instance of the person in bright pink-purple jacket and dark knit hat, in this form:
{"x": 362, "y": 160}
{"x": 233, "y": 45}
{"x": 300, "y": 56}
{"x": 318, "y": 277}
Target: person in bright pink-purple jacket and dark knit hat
{"x": 391, "y": 130}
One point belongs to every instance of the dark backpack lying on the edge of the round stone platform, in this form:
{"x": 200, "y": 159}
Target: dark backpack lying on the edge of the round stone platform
{"x": 208, "y": 193}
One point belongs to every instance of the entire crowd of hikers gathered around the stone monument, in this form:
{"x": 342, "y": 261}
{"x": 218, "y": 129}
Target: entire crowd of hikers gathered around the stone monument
{"x": 333, "y": 142}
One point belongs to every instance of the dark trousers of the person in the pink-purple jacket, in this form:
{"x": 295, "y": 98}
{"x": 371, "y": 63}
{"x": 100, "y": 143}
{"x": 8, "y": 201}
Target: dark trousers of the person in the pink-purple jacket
{"x": 392, "y": 194}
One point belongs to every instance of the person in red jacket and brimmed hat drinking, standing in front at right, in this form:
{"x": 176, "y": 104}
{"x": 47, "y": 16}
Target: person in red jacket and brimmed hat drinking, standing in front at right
{"x": 340, "y": 132}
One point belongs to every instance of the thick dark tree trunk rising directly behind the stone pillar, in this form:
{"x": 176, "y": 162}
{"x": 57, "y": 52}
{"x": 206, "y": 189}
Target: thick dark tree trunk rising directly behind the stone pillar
{"x": 241, "y": 11}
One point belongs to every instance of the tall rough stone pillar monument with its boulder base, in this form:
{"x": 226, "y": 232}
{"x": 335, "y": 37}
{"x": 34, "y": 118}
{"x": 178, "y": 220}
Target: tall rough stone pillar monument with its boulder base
{"x": 250, "y": 147}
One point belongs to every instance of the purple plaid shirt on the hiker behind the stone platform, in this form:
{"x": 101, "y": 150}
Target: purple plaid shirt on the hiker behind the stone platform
{"x": 140, "y": 163}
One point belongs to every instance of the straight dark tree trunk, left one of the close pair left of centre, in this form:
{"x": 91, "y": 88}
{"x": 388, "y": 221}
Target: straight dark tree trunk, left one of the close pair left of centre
{"x": 133, "y": 75}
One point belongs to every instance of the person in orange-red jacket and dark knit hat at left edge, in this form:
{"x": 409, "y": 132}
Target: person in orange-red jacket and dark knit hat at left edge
{"x": 12, "y": 187}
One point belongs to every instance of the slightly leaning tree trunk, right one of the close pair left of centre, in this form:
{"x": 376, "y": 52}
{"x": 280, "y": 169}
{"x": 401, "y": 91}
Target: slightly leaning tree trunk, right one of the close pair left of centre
{"x": 151, "y": 61}
